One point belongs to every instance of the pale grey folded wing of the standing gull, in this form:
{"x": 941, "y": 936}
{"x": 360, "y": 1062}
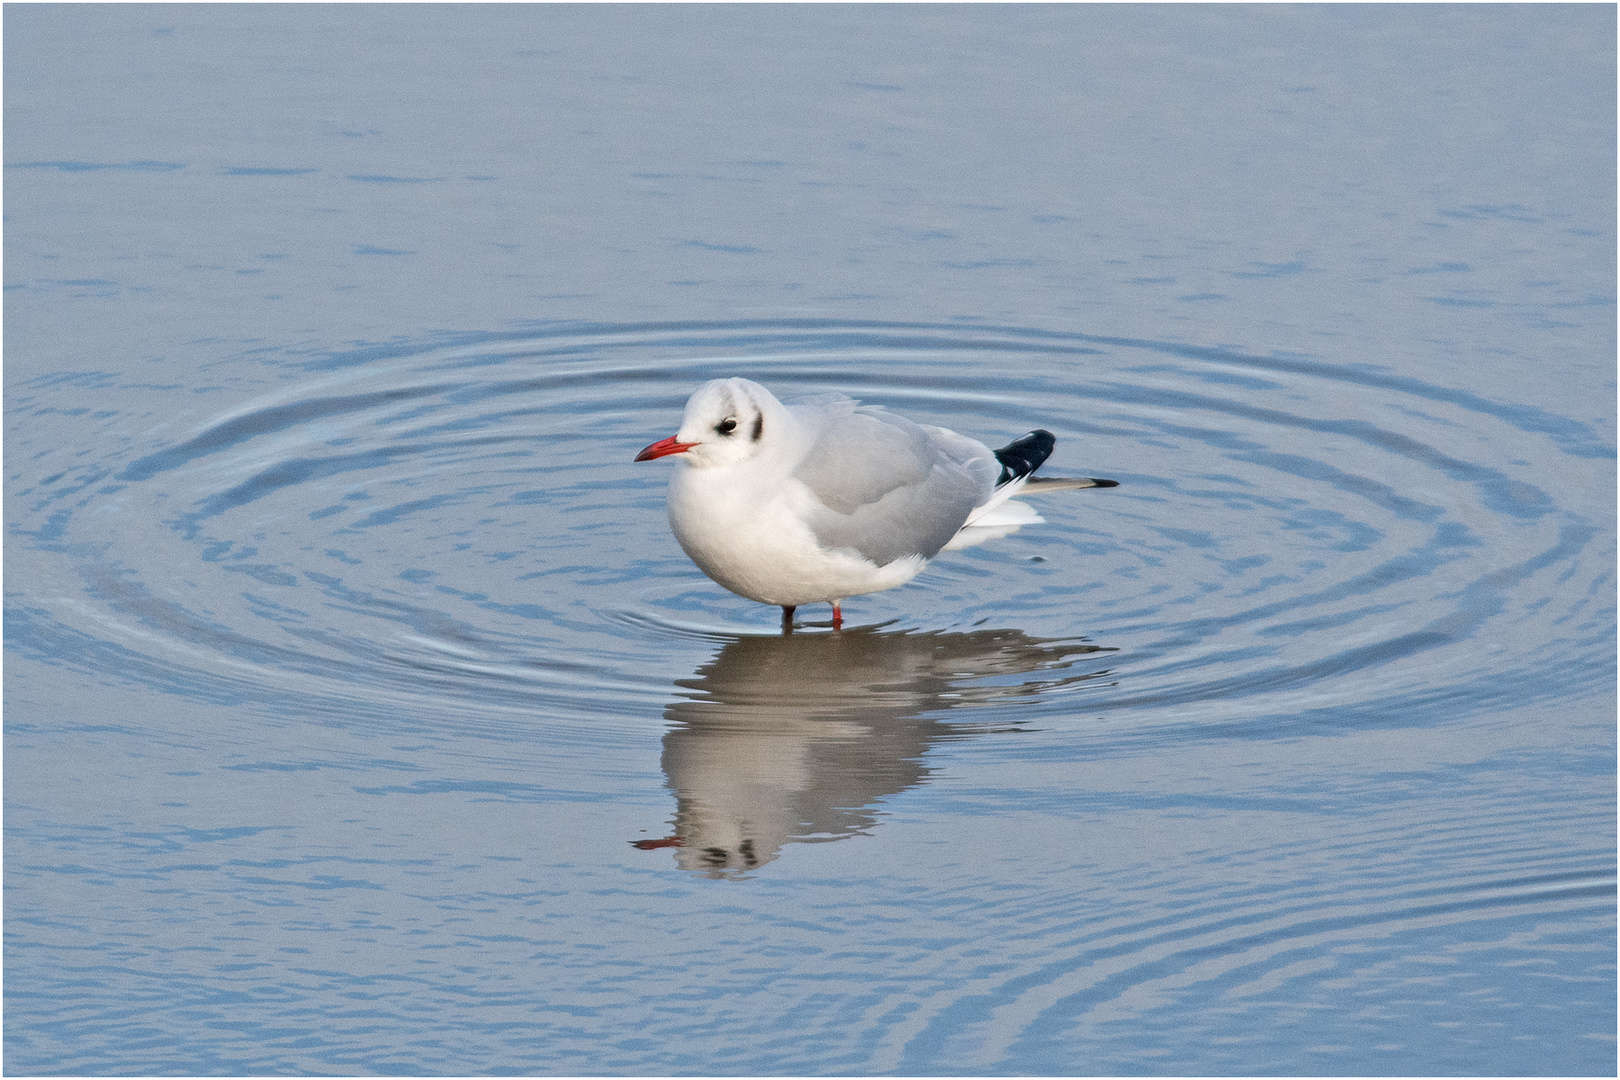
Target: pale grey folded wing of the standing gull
{"x": 890, "y": 488}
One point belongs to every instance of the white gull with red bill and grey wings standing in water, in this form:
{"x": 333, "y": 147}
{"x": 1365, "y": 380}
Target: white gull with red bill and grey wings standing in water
{"x": 825, "y": 500}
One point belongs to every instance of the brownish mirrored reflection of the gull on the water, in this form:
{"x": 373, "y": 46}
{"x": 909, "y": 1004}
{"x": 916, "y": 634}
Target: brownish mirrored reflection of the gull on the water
{"x": 796, "y": 738}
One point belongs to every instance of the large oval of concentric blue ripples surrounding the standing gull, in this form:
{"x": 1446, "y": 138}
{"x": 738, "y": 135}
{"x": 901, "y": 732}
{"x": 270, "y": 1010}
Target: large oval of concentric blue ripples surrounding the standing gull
{"x": 456, "y": 525}
